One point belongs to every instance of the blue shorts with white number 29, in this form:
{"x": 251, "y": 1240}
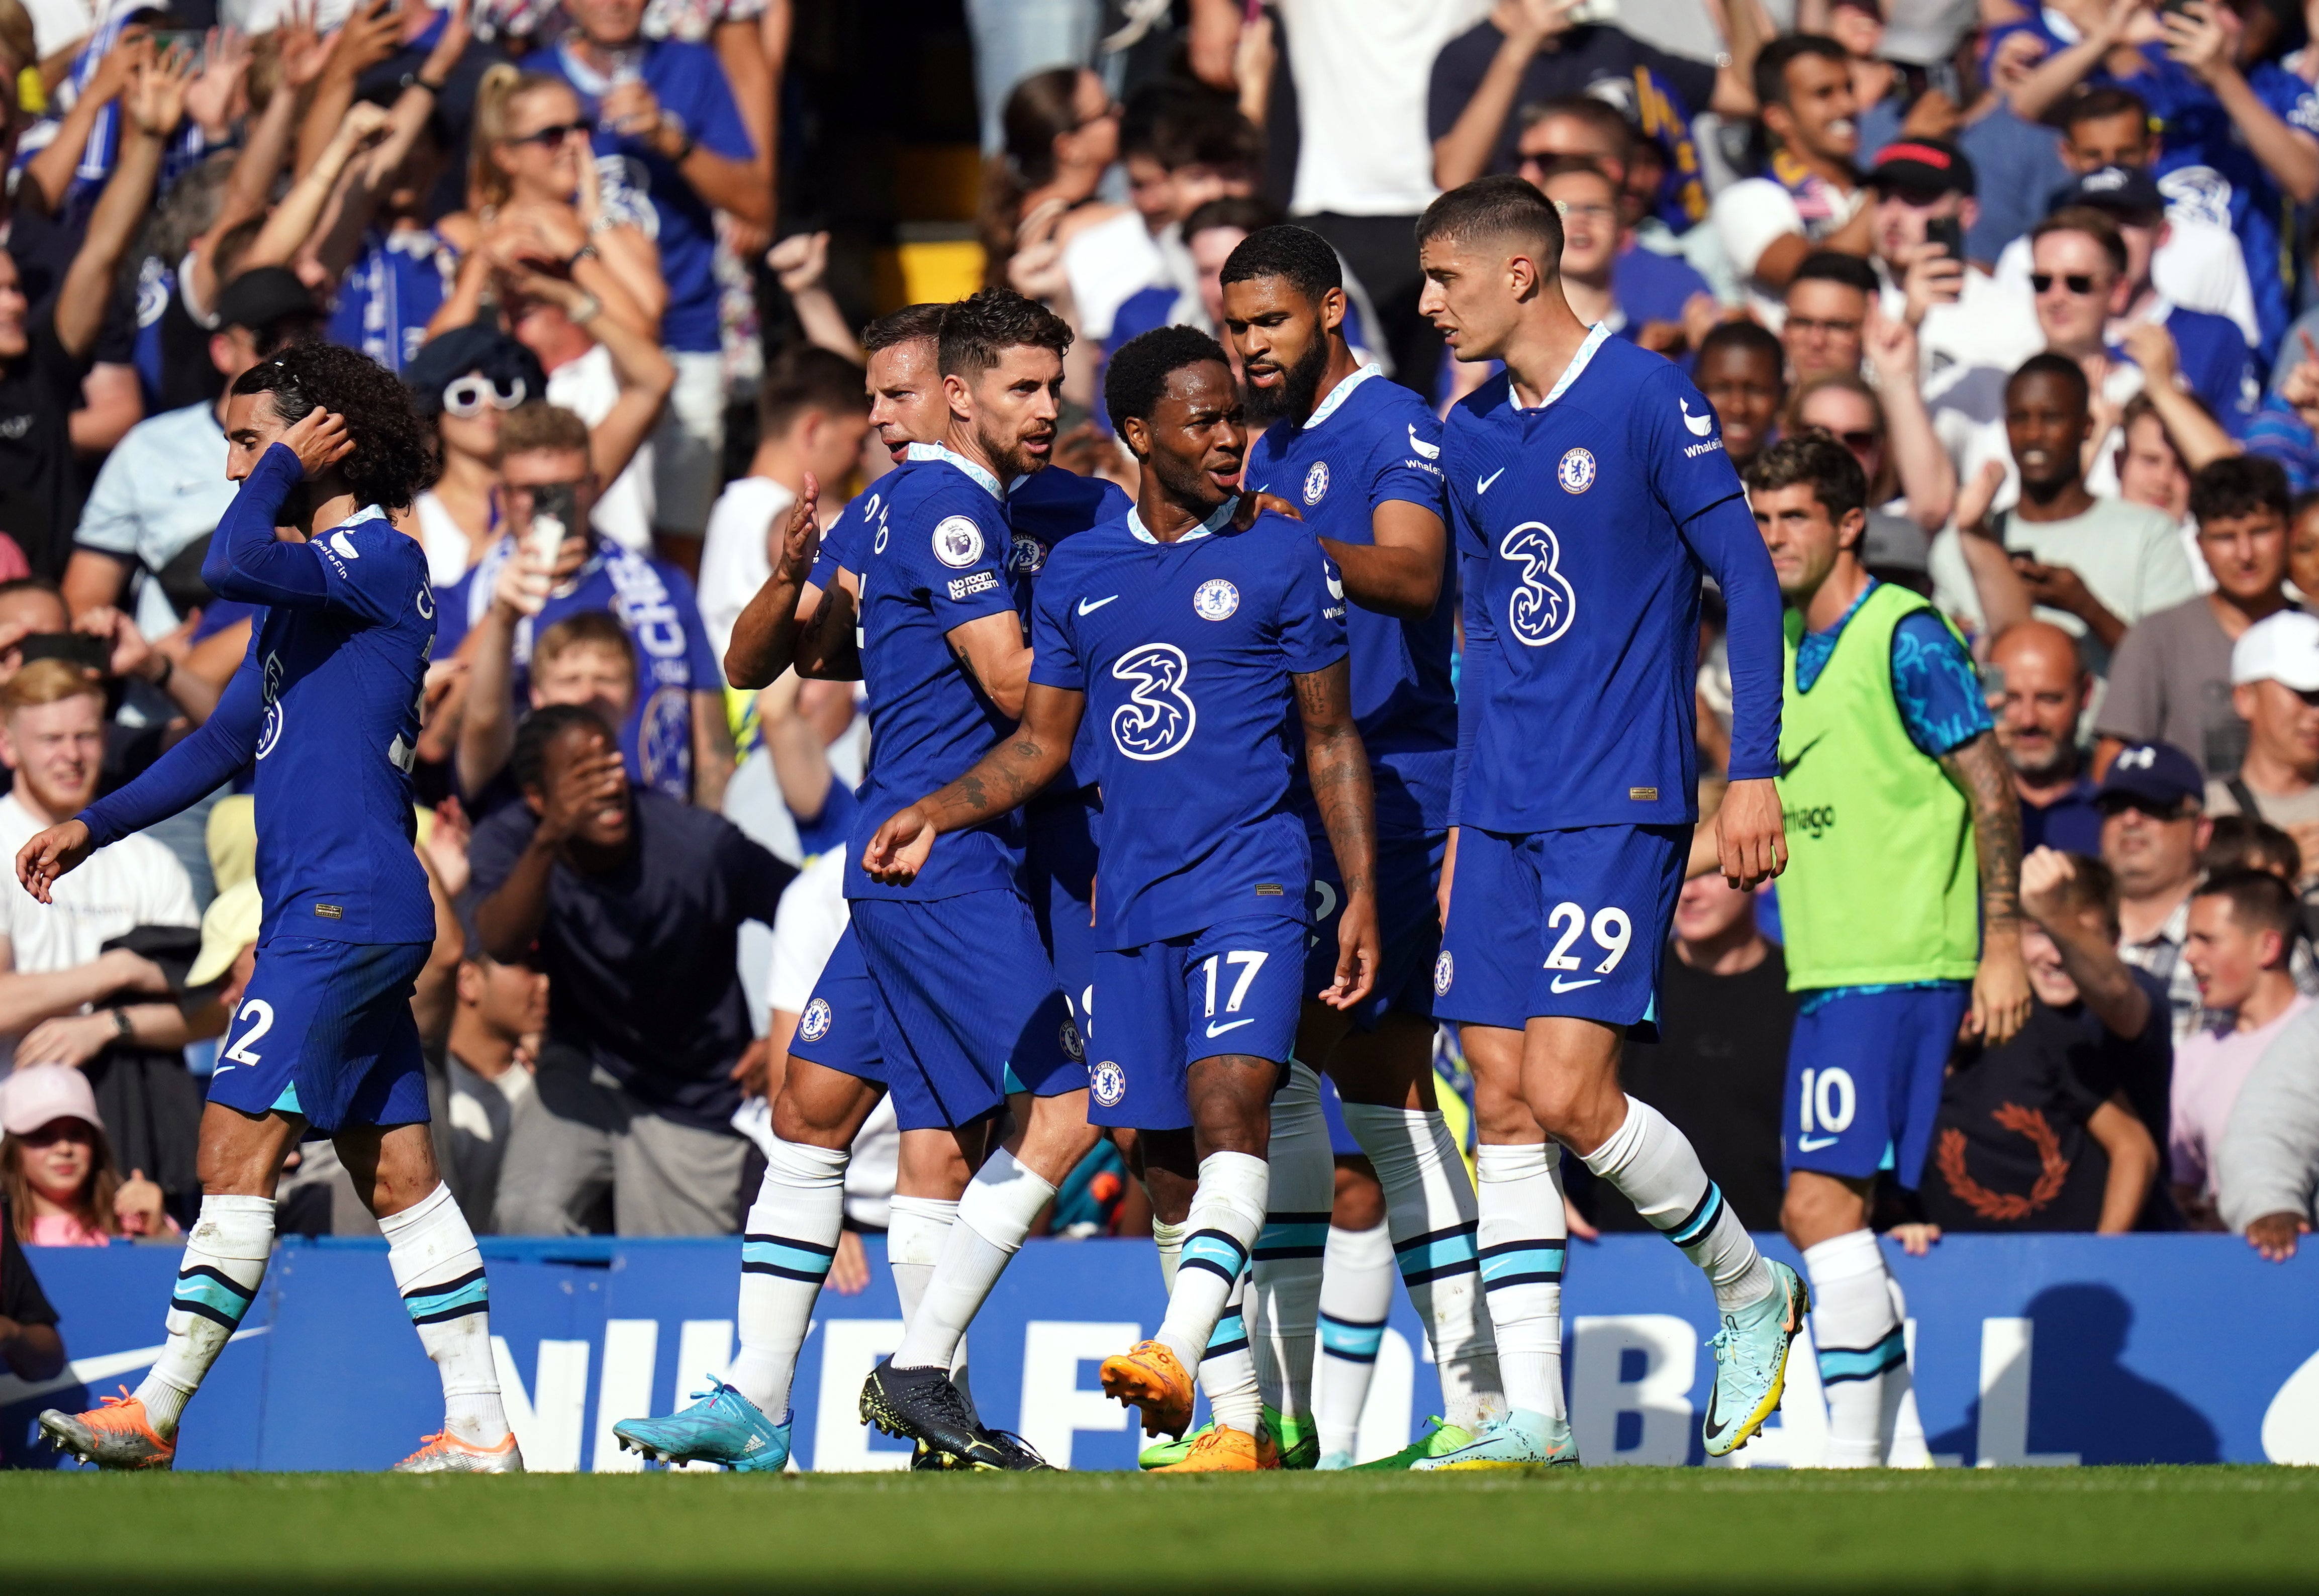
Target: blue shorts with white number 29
{"x": 1560, "y": 924}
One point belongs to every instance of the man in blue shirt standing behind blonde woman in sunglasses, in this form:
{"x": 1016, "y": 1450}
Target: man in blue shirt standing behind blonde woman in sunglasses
{"x": 671, "y": 143}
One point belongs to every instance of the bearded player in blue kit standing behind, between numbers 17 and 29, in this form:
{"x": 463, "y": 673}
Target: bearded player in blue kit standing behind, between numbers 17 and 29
{"x": 1358, "y": 458}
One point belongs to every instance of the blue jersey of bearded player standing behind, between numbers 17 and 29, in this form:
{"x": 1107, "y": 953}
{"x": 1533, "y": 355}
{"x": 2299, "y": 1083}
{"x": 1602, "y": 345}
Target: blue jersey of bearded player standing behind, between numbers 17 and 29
{"x": 1367, "y": 444}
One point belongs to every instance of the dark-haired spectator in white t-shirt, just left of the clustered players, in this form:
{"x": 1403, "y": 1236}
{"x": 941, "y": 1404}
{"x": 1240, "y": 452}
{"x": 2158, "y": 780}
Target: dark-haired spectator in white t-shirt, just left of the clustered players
{"x": 813, "y": 416}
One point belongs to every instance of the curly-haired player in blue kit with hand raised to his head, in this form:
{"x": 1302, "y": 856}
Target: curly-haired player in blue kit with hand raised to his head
{"x": 324, "y": 1043}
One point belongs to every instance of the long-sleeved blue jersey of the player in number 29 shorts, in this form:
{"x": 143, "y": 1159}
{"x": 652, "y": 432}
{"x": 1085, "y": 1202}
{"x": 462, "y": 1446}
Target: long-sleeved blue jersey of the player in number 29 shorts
{"x": 1585, "y": 528}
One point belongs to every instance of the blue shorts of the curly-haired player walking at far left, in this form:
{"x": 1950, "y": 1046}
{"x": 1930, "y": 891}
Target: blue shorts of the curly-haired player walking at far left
{"x": 326, "y": 1031}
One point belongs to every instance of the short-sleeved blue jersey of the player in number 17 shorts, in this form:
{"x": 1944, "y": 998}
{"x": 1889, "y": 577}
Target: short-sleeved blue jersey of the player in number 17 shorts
{"x": 1186, "y": 655}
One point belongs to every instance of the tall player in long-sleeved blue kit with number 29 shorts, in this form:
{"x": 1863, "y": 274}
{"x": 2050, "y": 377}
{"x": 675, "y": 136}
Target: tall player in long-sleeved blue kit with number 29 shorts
{"x": 1590, "y": 491}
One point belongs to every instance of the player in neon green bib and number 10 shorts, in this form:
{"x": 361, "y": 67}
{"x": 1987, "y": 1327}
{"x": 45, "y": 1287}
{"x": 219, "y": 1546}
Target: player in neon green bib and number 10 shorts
{"x": 1891, "y": 774}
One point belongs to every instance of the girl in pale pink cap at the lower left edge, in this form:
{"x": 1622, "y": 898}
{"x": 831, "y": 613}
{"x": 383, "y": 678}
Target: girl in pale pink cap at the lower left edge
{"x": 57, "y": 1168}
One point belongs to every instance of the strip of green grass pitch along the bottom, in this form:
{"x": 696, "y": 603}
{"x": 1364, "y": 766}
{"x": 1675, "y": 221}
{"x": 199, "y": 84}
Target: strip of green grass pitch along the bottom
{"x": 1615, "y": 1530}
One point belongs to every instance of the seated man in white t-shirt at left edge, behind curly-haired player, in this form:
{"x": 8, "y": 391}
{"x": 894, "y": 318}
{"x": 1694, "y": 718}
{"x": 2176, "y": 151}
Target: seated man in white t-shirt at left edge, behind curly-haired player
{"x": 52, "y": 957}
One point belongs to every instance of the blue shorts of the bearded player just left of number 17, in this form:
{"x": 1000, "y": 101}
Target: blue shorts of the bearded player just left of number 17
{"x": 966, "y": 1006}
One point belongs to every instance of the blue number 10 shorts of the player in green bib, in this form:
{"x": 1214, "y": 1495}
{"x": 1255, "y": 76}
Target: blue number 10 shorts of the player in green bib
{"x": 1866, "y": 1080}
